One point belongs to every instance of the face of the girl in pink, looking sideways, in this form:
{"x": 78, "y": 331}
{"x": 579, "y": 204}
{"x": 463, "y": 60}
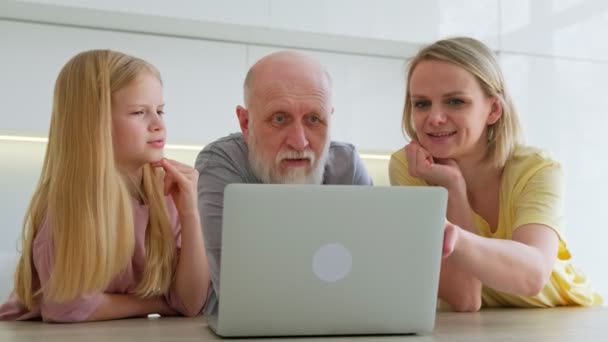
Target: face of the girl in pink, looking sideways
{"x": 138, "y": 128}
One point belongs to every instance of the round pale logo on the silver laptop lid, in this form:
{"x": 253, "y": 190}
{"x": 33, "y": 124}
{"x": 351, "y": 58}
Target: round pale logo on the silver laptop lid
{"x": 332, "y": 262}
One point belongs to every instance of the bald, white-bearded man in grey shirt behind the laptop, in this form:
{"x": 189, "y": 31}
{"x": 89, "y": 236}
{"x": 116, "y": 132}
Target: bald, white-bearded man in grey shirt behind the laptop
{"x": 285, "y": 127}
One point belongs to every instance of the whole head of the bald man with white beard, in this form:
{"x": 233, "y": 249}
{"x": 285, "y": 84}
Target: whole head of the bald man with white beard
{"x": 287, "y": 120}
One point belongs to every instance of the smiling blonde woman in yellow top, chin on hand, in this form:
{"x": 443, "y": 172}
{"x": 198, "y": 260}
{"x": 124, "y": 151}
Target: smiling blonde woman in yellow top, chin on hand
{"x": 504, "y": 198}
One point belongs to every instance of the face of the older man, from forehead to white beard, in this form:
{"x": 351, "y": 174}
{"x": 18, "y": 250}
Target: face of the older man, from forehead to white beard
{"x": 288, "y": 131}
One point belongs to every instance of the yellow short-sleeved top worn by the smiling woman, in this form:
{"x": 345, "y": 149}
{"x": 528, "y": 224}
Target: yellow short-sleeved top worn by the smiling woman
{"x": 530, "y": 192}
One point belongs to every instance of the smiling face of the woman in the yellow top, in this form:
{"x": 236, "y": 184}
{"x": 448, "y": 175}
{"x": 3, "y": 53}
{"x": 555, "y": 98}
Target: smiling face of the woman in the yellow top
{"x": 450, "y": 110}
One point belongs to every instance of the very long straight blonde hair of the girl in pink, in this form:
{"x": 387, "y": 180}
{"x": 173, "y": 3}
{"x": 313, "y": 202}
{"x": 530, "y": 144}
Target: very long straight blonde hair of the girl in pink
{"x": 84, "y": 198}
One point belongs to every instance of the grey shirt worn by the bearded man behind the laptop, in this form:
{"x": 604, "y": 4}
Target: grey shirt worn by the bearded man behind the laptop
{"x": 226, "y": 161}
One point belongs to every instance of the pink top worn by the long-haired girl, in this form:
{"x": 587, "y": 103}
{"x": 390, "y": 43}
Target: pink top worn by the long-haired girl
{"x": 81, "y": 308}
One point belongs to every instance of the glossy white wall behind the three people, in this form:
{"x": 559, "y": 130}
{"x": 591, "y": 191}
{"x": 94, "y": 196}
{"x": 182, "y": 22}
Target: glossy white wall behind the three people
{"x": 553, "y": 53}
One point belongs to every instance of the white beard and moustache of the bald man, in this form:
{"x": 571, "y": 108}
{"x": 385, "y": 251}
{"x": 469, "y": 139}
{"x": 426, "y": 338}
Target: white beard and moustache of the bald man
{"x": 268, "y": 172}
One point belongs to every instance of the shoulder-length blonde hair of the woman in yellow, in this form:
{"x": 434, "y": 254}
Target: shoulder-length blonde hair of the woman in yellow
{"x": 476, "y": 58}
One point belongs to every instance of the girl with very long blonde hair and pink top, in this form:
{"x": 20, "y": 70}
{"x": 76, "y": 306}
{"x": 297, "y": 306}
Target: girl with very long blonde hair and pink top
{"x": 113, "y": 229}
